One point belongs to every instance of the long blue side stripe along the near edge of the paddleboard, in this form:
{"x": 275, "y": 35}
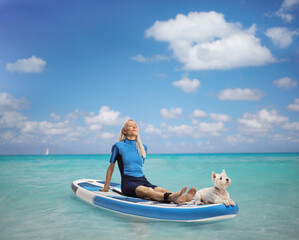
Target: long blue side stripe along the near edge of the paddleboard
{"x": 175, "y": 214}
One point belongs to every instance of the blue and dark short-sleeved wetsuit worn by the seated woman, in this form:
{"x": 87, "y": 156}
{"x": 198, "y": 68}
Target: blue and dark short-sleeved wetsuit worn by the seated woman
{"x": 130, "y": 166}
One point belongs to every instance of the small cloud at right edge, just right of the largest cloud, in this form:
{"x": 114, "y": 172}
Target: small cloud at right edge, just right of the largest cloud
{"x": 281, "y": 36}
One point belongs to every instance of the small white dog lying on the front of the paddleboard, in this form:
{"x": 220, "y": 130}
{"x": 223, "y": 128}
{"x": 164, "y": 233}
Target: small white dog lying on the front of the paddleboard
{"x": 216, "y": 194}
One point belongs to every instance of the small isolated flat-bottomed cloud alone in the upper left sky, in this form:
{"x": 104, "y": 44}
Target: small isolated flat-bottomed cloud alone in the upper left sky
{"x": 29, "y": 65}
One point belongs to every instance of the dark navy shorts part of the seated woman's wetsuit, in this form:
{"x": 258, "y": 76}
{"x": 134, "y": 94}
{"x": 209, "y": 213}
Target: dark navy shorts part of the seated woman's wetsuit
{"x": 130, "y": 183}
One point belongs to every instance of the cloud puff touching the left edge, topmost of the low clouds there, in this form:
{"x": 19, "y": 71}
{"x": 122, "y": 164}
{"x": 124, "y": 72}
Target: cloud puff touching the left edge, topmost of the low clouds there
{"x": 9, "y": 103}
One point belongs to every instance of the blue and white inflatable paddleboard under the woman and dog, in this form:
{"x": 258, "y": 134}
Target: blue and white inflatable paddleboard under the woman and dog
{"x": 88, "y": 190}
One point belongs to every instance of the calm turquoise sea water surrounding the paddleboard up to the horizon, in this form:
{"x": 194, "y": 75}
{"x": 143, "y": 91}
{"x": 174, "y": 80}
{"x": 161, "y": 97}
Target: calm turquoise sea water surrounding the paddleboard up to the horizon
{"x": 36, "y": 200}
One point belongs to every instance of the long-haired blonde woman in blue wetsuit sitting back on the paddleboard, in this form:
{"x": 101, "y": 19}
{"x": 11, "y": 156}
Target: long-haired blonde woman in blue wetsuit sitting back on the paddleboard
{"x": 130, "y": 154}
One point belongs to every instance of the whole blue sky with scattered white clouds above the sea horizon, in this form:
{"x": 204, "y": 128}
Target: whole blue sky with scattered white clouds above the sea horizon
{"x": 197, "y": 76}
